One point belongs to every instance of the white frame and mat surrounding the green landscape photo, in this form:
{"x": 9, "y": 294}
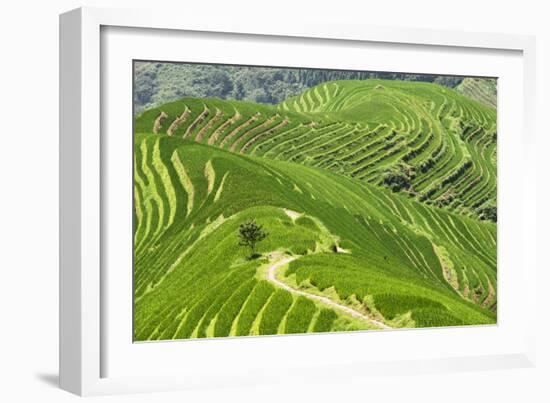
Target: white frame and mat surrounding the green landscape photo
{"x": 85, "y": 311}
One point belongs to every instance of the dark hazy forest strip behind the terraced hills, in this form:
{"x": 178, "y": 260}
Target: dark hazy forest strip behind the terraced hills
{"x": 157, "y": 83}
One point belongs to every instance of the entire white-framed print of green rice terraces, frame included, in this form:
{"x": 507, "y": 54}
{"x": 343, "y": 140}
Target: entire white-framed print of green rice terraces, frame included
{"x": 242, "y": 199}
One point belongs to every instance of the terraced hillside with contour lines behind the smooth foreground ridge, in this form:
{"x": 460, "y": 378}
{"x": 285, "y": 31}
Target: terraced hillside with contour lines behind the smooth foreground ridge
{"x": 420, "y": 139}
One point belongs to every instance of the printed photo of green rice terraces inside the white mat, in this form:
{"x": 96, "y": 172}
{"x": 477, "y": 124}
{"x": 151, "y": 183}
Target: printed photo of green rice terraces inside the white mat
{"x": 277, "y": 201}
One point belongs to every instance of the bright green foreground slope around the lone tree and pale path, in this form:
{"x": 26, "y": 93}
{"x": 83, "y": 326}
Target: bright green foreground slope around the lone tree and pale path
{"x": 408, "y": 262}
